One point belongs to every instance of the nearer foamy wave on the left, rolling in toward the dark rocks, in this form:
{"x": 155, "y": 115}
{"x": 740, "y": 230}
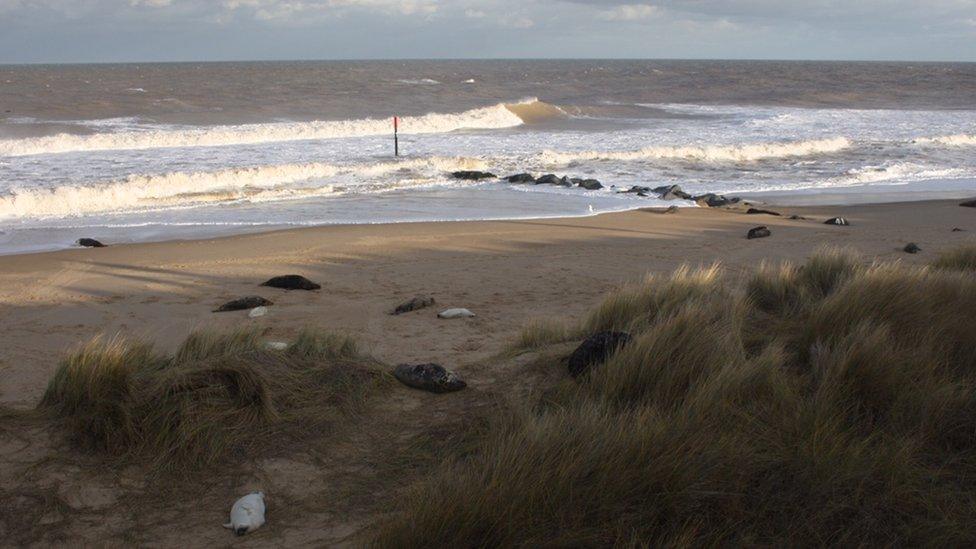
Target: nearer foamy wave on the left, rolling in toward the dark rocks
{"x": 187, "y": 189}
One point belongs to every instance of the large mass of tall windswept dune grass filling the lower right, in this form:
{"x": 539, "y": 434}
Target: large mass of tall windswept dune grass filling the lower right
{"x": 829, "y": 403}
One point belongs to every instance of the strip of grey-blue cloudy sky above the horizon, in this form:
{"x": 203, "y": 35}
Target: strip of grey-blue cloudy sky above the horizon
{"x": 173, "y": 30}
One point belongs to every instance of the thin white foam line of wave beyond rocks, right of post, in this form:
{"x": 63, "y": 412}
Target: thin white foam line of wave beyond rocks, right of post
{"x": 707, "y": 153}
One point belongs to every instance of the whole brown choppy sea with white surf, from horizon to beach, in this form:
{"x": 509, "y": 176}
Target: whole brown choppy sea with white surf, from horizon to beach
{"x": 163, "y": 151}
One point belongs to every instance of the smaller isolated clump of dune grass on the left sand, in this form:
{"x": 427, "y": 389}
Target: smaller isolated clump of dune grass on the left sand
{"x": 217, "y": 397}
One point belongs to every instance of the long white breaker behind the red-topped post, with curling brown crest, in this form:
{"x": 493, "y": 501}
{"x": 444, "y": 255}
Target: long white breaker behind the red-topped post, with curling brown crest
{"x": 501, "y": 115}
